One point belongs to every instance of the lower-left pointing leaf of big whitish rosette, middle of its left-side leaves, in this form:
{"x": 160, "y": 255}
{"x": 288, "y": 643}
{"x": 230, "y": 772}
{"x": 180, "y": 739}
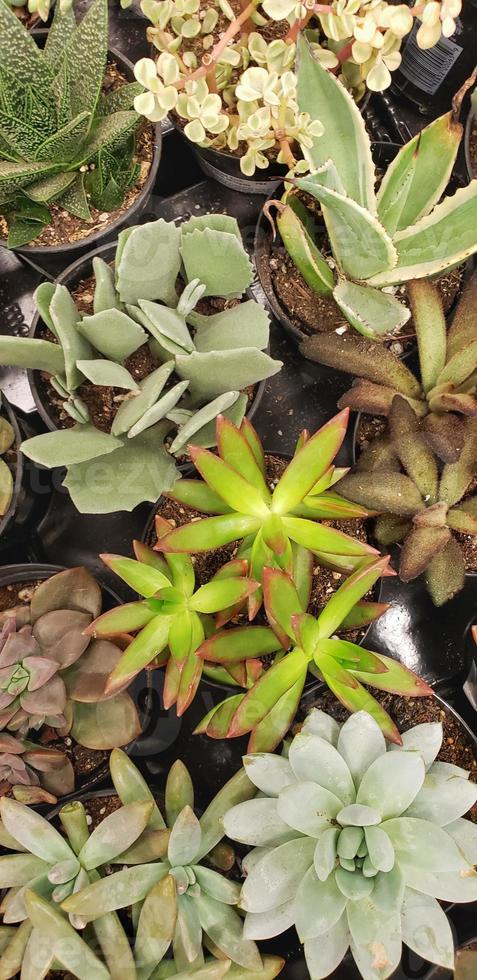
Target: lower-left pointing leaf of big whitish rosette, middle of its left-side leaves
{"x": 275, "y": 879}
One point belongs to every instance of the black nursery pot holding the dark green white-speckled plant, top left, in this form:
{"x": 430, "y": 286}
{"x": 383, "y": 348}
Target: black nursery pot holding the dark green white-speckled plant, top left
{"x": 129, "y": 216}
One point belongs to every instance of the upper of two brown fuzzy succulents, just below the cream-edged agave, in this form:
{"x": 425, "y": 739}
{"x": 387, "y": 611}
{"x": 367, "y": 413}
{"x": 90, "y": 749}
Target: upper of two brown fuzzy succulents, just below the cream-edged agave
{"x": 442, "y": 393}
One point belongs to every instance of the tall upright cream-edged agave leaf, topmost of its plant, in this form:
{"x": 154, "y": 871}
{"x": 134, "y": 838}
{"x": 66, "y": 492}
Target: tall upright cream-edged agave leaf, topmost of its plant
{"x": 344, "y": 140}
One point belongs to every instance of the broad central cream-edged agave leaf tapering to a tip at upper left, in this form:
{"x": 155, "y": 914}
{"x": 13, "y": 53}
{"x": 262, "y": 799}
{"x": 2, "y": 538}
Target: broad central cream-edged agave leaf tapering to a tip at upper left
{"x": 361, "y": 246}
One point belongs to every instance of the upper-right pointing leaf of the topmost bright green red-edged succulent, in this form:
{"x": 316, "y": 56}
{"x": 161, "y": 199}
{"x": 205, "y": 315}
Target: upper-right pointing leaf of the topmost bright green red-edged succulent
{"x": 309, "y": 464}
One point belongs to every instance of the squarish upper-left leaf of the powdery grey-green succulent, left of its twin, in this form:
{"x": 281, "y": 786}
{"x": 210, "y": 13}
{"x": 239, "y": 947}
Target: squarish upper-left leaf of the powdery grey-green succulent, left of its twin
{"x": 149, "y": 262}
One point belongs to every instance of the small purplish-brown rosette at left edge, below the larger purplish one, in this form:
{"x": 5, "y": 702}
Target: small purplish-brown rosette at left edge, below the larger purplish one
{"x": 32, "y": 772}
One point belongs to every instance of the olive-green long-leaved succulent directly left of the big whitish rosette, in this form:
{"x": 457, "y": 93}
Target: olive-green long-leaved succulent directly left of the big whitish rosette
{"x": 184, "y": 900}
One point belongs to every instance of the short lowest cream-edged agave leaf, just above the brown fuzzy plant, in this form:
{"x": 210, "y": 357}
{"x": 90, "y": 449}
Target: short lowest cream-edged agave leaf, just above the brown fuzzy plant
{"x": 370, "y": 311}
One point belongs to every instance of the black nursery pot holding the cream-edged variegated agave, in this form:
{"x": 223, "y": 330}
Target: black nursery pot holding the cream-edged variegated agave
{"x": 383, "y": 155}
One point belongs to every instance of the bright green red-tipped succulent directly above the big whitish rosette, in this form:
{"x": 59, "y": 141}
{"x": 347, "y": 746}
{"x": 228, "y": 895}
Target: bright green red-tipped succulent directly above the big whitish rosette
{"x": 268, "y": 709}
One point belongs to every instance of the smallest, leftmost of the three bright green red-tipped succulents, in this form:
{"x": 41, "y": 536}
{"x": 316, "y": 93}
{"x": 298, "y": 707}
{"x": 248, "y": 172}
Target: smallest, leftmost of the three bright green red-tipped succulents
{"x": 172, "y": 619}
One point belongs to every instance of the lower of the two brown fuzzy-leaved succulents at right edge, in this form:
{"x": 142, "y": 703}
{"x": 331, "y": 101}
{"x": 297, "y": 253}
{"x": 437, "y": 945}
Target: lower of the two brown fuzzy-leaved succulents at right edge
{"x": 423, "y": 507}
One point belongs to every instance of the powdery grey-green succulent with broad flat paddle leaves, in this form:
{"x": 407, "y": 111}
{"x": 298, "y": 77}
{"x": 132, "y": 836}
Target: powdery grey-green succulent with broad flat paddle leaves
{"x": 213, "y": 357}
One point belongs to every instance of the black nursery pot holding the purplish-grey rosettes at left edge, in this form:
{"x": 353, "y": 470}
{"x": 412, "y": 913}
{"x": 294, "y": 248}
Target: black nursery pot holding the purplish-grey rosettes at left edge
{"x": 140, "y": 689}
